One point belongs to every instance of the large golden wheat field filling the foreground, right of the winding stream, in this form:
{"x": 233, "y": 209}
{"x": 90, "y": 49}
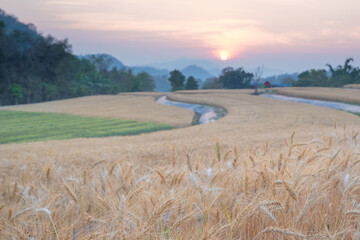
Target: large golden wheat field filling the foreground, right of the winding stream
{"x": 268, "y": 170}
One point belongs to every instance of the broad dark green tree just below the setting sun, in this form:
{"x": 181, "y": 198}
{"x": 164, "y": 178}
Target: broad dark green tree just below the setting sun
{"x": 235, "y": 79}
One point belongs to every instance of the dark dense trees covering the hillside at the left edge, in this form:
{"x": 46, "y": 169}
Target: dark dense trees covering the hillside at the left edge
{"x": 34, "y": 68}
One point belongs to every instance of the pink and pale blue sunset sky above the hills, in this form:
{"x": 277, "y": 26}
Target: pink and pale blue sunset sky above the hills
{"x": 291, "y": 35}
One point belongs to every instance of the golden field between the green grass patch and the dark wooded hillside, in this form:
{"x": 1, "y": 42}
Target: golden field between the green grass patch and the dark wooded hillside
{"x": 134, "y": 106}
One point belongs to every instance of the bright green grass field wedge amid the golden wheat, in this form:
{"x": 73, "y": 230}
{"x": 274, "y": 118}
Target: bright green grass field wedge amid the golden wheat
{"x": 16, "y": 126}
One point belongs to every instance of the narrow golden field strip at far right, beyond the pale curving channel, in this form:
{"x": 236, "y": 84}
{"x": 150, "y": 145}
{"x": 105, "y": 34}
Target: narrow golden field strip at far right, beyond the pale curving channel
{"x": 320, "y": 93}
